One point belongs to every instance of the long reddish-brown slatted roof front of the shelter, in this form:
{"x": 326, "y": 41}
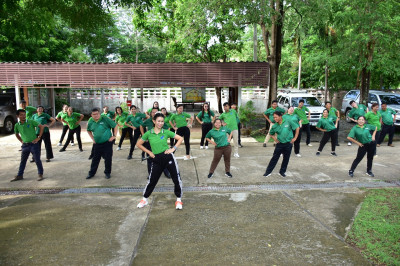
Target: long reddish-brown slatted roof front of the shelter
{"x": 129, "y": 75}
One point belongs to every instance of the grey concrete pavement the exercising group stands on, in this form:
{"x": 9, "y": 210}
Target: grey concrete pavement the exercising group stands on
{"x": 249, "y": 219}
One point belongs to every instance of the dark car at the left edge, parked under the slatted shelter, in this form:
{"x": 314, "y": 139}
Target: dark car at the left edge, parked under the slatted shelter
{"x": 8, "y": 118}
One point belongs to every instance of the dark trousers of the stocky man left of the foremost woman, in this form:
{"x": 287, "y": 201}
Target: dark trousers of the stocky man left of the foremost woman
{"x": 103, "y": 150}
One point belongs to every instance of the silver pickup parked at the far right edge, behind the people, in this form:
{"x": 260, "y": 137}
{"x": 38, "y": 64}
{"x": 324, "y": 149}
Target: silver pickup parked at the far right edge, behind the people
{"x": 392, "y": 100}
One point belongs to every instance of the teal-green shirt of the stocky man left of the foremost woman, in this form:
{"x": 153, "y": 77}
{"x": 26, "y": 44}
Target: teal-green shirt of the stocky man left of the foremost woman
{"x": 101, "y": 129}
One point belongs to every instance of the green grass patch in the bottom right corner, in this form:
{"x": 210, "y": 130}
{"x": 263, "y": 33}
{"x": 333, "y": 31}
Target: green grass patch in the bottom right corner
{"x": 376, "y": 229}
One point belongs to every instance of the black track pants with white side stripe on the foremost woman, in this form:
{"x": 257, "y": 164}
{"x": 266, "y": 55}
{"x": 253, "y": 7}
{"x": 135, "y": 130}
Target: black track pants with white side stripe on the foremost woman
{"x": 159, "y": 163}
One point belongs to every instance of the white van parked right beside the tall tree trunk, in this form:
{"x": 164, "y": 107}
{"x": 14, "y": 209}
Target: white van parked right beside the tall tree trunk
{"x": 292, "y": 98}
